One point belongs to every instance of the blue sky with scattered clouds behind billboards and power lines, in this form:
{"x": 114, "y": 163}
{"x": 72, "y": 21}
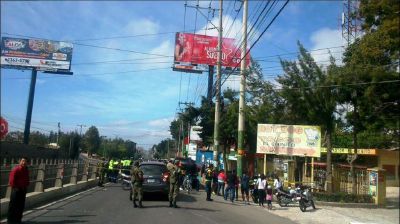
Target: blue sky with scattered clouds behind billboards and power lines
{"x": 122, "y": 80}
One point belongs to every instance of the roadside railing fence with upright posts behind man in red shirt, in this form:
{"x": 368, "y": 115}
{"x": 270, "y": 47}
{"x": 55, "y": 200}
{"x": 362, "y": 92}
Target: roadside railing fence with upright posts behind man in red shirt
{"x": 48, "y": 173}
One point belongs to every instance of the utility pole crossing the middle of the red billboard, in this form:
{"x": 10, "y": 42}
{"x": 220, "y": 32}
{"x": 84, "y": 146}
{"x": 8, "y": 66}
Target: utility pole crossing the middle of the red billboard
{"x": 218, "y": 87}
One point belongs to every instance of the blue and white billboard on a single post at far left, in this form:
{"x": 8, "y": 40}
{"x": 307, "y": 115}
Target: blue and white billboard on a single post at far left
{"x": 40, "y": 54}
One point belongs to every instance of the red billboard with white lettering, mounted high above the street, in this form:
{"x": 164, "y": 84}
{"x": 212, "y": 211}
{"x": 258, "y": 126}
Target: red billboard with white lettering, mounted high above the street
{"x": 201, "y": 49}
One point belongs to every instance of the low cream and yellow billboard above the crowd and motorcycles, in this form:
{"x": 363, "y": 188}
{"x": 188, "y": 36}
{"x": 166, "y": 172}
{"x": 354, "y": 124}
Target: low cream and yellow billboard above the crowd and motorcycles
{"x": 290, "y": 140}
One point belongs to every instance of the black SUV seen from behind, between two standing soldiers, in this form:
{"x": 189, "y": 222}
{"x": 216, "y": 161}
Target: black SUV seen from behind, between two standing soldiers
{"x": 155, "y": 177}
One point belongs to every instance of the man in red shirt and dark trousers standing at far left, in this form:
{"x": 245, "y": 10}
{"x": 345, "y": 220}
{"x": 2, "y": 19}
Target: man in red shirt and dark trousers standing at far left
{"x": 19, "y": 182}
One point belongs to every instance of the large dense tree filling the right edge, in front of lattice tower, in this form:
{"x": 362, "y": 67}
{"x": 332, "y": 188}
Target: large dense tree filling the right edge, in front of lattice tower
{"x": 373, "y": 60}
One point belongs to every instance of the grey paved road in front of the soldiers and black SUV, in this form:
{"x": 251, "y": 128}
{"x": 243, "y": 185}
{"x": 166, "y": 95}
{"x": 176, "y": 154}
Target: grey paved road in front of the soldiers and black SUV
{"x": 111, "y": 205}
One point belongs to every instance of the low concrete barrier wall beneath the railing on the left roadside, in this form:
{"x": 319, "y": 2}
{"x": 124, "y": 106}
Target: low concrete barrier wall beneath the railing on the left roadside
{"x": 51, "y": 194}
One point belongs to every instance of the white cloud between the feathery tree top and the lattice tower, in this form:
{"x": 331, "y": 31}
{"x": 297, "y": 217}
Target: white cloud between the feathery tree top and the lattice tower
{"x": 327, "y": 38}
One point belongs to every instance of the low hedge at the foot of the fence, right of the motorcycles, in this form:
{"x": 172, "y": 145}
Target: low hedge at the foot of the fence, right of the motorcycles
{"x": 342, "y": 197}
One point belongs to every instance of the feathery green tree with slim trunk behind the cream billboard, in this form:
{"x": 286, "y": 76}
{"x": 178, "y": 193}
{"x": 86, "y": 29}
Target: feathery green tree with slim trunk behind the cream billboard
{"x": 307, "y": 102}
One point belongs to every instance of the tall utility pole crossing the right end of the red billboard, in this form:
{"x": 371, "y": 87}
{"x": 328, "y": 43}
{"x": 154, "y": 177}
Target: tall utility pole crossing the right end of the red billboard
{"x": 241, "y": 149}
